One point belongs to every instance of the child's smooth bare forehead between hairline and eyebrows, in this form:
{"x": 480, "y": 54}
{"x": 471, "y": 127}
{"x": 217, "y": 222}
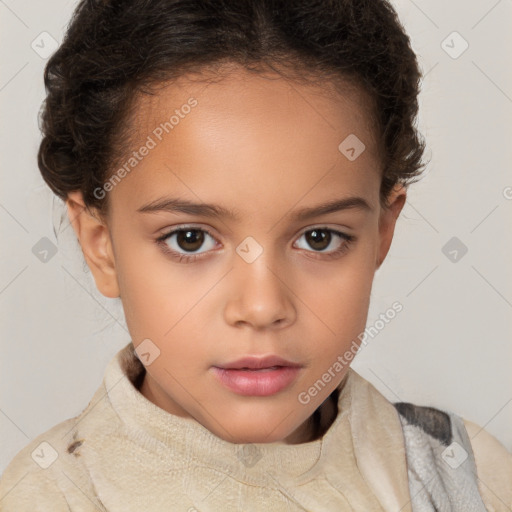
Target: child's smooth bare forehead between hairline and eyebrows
{"x": 244, "y": 136}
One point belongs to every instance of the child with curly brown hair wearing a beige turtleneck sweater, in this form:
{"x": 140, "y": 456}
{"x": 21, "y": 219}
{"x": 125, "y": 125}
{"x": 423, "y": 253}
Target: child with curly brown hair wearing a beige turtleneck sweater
{"x": 276, "y": 139}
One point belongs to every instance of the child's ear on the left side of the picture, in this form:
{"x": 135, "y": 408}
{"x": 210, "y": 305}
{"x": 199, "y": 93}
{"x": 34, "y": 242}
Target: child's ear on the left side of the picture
{"x": 94, "y": 238}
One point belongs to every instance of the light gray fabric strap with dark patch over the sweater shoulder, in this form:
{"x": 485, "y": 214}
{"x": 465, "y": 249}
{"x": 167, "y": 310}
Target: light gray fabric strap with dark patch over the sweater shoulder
{"x": 441, "y": 465}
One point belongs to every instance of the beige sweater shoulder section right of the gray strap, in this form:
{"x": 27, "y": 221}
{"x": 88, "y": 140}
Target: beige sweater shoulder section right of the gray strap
{"x": 494, "y": 467}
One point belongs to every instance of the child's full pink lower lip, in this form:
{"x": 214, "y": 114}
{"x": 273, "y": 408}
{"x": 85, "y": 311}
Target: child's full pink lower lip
{"x": 263, "y": 382}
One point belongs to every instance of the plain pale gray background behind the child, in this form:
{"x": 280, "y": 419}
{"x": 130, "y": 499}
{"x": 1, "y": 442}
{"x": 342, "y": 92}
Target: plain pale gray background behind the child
{"x": 450, "y": 347}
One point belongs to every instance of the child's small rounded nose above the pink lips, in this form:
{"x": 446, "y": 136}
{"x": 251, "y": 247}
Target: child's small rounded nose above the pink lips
{"x": 259, "y": 295}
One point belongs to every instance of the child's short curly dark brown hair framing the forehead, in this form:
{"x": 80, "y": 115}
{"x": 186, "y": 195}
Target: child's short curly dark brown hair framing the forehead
{"x": 114, "y": 50}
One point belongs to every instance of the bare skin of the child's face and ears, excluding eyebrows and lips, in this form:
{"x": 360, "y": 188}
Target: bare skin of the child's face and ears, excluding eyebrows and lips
{"x": 264, "y": 147}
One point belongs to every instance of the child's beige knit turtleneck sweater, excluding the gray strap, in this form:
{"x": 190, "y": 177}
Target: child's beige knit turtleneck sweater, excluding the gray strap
{"x": 124, "y": 454}
